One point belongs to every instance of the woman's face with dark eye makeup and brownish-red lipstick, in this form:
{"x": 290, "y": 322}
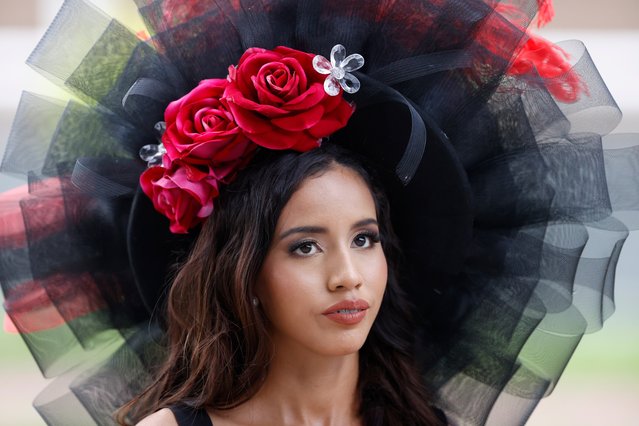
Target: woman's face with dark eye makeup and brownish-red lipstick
{"x": 324, "y": 276}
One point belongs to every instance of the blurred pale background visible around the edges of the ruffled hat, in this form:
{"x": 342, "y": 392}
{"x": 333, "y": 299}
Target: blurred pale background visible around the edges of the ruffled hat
{"x": 600, "y": 385}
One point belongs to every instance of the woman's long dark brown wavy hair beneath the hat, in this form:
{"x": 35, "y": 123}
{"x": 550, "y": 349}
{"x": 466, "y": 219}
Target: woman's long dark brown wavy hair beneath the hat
{"x": 218, "y": 346}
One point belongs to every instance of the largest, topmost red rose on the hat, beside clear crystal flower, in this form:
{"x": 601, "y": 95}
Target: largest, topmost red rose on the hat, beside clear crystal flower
{"x": 278, "y": 100}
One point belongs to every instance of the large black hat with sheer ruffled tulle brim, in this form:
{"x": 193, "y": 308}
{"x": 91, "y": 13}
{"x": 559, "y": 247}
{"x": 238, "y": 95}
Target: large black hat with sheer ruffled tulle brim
{"x": 510, "y": 198}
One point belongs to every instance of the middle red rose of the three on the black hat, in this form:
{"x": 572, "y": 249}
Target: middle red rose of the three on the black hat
{"x": 201, "y": 130}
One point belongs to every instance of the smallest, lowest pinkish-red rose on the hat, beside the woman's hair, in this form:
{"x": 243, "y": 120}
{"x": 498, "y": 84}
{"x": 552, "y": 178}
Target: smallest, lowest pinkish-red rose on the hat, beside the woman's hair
{"x": 183, "y": 193}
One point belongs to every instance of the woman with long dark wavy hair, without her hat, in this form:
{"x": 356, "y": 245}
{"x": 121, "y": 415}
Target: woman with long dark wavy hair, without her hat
{"x": 291, "y": 239}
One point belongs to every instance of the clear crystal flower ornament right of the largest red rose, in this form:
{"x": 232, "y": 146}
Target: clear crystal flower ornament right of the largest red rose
{"x": 339, "y": 70}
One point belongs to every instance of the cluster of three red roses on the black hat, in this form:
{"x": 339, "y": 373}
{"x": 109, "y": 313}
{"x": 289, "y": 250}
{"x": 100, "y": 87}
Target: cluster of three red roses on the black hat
{"x": 273, "y": 98}
